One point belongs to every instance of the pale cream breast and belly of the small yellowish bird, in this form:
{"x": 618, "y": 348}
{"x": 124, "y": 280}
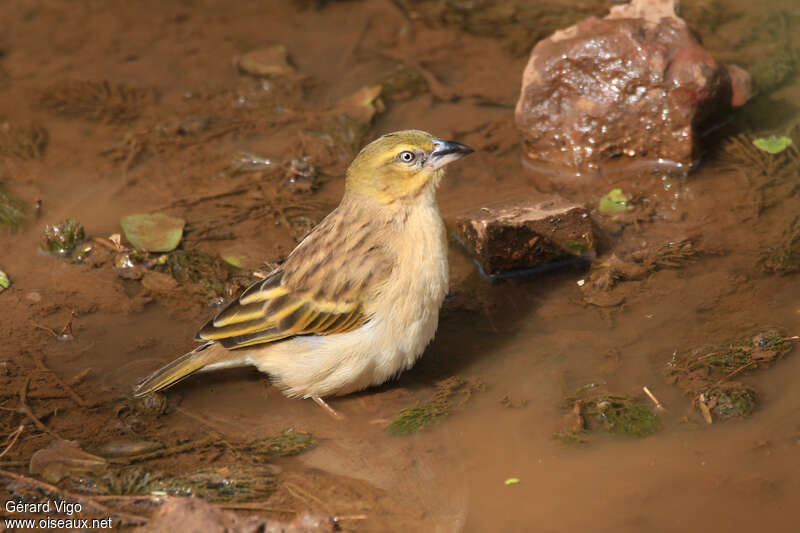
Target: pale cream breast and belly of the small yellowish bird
{"x": 403, "y": 321}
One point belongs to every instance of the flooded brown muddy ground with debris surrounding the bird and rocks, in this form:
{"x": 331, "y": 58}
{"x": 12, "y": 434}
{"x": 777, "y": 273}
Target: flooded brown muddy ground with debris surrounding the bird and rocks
{"x": 115, "y": 110}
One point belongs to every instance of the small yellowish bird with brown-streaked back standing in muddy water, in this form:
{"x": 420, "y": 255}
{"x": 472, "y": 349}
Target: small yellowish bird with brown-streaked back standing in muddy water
{"x": 357, "y": 301}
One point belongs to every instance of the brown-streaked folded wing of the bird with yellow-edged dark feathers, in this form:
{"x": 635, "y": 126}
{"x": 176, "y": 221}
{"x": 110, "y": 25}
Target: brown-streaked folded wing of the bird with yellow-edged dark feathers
{"x": 323, "y": 288}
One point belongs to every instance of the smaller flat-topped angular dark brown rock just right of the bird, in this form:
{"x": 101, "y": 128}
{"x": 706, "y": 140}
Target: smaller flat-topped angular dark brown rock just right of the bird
{"x": 519, "y": 235}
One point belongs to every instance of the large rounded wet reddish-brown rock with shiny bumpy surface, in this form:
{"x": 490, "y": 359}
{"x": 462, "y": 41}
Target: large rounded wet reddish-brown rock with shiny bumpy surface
{"x": 635, "y": 84}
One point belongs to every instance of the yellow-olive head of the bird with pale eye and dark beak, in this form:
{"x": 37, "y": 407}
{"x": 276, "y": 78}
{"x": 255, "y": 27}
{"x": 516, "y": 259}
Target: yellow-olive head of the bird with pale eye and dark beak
{"x": 399, "y": 165}
